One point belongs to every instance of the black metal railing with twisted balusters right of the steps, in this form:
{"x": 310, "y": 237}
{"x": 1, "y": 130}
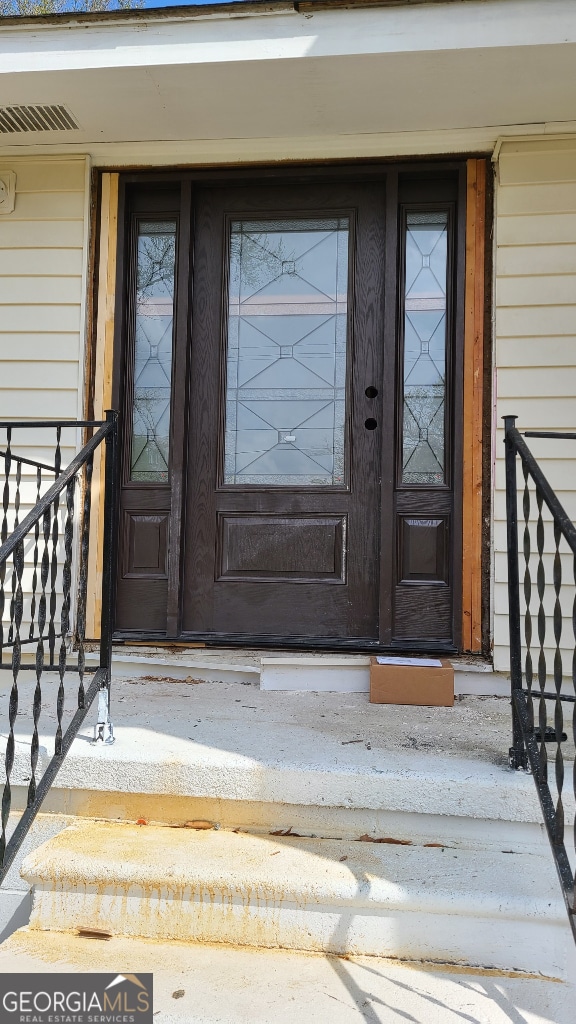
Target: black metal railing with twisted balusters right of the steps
{"x": 544, "y": 654}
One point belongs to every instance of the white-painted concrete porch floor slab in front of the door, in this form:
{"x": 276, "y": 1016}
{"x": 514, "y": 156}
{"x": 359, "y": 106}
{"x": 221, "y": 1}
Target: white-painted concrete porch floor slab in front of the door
{"x": 172, "y": 734}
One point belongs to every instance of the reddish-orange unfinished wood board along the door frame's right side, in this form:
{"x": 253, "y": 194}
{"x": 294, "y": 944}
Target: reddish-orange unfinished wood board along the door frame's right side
{"x": 473, "y": 406}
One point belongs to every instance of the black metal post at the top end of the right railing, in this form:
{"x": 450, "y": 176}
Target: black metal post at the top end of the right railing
{"x": 518, "y": 754}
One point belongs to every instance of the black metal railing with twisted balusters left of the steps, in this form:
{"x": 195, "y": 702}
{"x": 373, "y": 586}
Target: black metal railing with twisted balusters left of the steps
{"x": 44, "y": 603}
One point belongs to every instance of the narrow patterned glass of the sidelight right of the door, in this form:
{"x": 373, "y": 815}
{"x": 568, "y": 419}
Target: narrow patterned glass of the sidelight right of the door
{"x": 425, "y": 349}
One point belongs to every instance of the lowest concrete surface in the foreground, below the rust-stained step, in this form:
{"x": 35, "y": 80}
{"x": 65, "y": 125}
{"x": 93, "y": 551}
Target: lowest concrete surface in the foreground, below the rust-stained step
{"x": 212, "y": 985}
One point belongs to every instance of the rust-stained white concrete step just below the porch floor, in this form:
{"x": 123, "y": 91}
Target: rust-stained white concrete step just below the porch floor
{"x": 483, "y": 909}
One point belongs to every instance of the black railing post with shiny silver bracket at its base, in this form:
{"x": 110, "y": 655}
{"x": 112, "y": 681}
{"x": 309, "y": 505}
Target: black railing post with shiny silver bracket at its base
{"x": 104, "y": 729}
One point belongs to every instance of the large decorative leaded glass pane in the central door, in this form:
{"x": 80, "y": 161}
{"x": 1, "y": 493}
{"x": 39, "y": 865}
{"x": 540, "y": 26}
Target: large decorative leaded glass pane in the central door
{"x": 287, "y": 353}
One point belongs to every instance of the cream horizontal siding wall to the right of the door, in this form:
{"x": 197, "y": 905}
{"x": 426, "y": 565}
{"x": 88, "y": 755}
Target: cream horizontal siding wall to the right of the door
{"x": 536, "y": 342}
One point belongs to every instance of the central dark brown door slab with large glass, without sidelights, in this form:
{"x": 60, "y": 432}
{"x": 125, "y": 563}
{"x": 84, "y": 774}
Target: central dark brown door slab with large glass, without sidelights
{"x": 283, "y": 502}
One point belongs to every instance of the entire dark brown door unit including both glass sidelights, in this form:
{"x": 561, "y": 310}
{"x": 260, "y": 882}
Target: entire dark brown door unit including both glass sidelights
{"x": 290, "y": 380}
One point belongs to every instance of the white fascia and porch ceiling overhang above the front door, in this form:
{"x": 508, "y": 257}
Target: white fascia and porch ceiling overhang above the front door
{"x": 283, "y": 74}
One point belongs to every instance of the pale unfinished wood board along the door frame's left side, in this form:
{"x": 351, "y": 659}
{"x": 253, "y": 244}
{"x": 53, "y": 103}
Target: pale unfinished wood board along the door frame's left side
{"x": 103, "y": 388}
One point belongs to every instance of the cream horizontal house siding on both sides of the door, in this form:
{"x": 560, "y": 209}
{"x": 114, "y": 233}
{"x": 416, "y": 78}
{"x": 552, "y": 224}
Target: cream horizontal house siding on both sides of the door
{"x": 44, "y": 289}
